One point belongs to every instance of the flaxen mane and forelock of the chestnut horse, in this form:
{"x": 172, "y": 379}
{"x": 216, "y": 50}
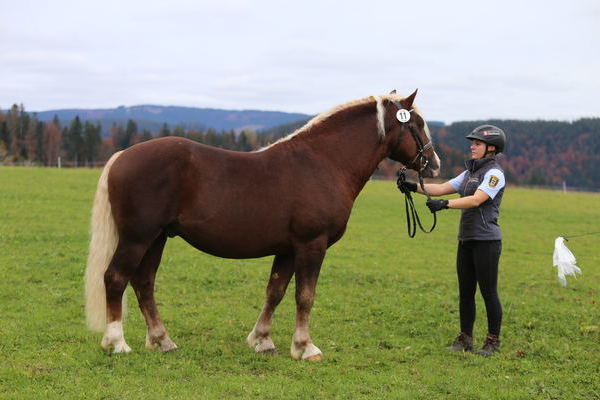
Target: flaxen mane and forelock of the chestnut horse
{"x": 319, "y": 119}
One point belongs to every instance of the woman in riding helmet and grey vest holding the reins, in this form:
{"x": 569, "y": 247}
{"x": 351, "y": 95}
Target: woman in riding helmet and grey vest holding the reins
{"x": 479, "y": 238}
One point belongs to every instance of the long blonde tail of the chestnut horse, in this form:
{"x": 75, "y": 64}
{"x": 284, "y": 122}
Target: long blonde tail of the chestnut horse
{"x": 103, "y": 243}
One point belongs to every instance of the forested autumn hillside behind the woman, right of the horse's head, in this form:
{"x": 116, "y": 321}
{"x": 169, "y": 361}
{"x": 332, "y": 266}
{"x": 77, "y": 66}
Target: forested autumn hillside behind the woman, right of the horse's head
{"x": 540, "y": 153}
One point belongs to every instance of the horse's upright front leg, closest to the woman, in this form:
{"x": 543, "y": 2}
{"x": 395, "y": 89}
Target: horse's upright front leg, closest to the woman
{"x": 309, "y": 258}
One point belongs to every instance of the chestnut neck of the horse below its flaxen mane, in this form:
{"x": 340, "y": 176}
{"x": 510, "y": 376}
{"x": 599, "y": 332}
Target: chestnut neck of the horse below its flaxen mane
{"x": 351, "y": 142}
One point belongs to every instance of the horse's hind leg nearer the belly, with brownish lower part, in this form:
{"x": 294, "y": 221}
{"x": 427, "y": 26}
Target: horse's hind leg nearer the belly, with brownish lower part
{"x": 143, "y": 285}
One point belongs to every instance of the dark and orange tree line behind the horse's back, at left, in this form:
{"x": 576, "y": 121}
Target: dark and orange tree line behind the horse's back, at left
{"x": 26, "y": 140}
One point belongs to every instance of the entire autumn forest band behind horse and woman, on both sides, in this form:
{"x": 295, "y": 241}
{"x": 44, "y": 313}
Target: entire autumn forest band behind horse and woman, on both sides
{"x": 541, "y": 153}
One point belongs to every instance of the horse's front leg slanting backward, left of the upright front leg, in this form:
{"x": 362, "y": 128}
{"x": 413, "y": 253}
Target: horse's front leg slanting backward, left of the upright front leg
{"x": 281, "y": 273}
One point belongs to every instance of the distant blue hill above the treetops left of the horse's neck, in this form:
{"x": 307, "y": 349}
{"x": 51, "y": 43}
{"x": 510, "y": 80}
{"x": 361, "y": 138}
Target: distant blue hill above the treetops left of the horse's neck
{"x": 152, "y": 117}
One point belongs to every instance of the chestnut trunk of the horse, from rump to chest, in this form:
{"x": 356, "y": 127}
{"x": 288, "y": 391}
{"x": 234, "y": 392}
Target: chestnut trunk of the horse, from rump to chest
{"x": 226, "y": 203}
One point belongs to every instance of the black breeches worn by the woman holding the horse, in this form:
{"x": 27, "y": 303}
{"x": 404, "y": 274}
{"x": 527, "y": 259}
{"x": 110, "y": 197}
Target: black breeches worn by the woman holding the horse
{"x": 477, "y": 263}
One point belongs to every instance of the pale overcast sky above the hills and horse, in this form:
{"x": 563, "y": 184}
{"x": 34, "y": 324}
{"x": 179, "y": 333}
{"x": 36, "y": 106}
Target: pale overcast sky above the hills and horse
{"x": 469, "y": 59}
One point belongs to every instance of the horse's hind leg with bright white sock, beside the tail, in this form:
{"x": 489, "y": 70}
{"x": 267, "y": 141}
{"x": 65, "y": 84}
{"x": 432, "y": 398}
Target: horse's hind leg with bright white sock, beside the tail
{"x": 124, "y": 262}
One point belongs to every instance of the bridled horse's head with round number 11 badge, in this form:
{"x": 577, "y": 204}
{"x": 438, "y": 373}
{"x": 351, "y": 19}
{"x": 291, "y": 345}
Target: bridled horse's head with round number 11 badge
{"x": 407, "y": 136}
